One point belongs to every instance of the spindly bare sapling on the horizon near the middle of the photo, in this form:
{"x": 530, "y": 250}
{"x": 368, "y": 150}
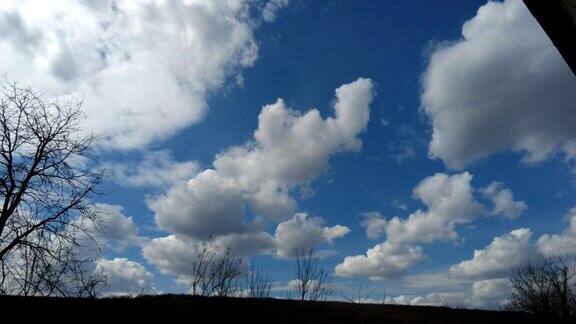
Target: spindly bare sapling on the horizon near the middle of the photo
{"x": 312, "y": 281}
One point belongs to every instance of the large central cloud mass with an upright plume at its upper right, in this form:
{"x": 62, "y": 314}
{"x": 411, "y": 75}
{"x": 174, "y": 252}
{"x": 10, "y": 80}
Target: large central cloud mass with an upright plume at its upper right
{"x": 254, "y": 185}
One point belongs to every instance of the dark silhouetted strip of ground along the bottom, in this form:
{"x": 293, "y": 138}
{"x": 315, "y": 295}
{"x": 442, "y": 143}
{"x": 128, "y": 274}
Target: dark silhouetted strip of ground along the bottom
{"x": 177, "y": 308}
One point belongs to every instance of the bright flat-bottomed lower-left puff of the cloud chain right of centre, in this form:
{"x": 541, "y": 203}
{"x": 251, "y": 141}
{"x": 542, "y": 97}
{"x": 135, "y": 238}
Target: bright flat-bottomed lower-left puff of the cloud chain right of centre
{"x": 385, "y": 260}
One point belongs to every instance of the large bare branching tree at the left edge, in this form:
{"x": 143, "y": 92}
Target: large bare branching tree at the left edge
{"x": 48, "y": 175}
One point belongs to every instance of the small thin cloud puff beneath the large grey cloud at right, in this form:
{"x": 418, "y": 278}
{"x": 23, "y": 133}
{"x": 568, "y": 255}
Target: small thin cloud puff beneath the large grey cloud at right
{"x": 503, "y": 200}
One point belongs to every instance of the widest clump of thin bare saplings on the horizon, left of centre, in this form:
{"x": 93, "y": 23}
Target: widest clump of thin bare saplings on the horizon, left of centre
{"x": 214, "y": 270}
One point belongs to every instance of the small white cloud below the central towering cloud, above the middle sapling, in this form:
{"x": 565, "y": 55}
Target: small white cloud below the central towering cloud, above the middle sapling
{"x": 303, "y": 232}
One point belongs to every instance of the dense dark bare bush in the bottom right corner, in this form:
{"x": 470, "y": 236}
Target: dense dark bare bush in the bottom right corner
{"x": 544, "y": 286}
